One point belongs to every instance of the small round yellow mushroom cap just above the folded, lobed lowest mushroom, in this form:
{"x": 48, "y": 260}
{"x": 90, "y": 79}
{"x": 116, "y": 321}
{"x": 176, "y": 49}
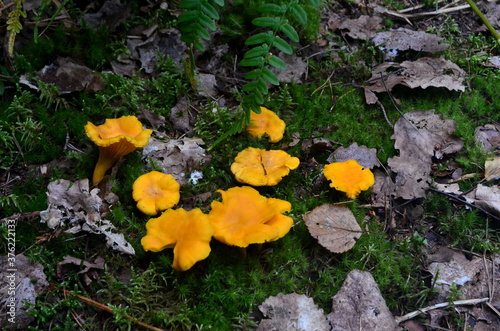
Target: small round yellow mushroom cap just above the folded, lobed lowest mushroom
{"x": 155, "y": 192}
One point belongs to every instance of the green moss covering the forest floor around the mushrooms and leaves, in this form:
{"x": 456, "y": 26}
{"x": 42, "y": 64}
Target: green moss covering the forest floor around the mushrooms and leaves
{"x": 223, "y": 292}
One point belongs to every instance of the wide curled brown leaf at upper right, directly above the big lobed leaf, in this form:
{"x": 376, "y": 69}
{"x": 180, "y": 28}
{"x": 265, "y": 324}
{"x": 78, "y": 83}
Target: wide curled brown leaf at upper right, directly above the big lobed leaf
{"x": 424, "y": 72}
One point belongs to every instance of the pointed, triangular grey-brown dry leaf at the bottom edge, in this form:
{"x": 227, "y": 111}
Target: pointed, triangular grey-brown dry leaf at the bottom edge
{"x": 359, "y": 305}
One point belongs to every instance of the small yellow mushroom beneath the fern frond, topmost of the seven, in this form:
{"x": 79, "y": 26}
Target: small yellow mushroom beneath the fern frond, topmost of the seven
{"x": 267, "y": 122}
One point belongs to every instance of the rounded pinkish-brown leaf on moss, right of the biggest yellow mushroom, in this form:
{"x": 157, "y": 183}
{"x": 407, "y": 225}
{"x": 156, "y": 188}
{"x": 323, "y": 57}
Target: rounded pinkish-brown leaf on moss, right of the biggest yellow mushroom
{"x": 334, "y": 226}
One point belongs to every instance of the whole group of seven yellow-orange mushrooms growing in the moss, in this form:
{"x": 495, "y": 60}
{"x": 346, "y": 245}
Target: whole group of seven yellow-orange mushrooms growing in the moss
{"x": 243, "y": 217}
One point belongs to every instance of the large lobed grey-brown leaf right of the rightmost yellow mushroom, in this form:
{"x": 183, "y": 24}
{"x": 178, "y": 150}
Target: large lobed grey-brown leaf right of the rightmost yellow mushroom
{"x": 420, "y": 135}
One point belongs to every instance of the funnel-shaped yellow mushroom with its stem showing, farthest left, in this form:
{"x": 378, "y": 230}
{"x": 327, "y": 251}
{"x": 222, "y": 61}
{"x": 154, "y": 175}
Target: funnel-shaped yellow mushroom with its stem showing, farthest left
{"x": 116, "y": 138}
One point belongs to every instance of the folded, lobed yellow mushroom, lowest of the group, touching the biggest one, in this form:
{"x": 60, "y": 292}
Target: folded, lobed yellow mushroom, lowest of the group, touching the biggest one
{"x": 188, "y": 232}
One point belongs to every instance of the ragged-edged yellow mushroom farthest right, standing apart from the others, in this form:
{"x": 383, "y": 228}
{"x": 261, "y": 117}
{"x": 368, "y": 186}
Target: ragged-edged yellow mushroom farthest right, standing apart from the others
{"x": 349, "y": 177}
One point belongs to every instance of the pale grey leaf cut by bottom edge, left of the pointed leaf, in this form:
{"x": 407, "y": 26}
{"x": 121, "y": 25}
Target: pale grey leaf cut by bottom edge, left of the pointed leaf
{"x": 292, "y": 312}
